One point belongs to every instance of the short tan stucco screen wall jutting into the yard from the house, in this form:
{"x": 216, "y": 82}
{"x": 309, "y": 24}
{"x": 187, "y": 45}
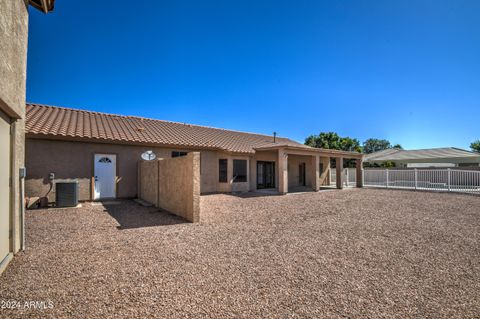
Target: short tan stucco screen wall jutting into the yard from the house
{"x": 177, "y": 185}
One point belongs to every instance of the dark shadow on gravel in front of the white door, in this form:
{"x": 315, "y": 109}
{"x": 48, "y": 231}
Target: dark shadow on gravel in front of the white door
{"x": 132, "y": 215}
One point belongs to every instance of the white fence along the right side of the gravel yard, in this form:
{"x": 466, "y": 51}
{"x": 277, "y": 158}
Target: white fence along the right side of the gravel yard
{"x": 448, "y": 180}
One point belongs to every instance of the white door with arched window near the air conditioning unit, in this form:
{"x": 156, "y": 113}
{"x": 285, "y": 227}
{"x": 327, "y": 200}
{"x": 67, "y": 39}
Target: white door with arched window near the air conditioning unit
{"x": 105, "y": 175}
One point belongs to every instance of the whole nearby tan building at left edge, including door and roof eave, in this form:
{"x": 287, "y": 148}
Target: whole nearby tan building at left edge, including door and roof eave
{"x": 13, "y": 65}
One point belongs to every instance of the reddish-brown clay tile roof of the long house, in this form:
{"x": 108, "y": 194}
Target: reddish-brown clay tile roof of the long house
{"x": 43, "y": 120}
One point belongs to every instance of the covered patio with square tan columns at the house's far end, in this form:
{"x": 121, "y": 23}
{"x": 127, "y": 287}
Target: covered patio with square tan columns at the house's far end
{"x": 310, "y": 167}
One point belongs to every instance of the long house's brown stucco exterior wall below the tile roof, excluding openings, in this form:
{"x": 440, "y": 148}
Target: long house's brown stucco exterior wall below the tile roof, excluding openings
{"x": 73, "y": 159}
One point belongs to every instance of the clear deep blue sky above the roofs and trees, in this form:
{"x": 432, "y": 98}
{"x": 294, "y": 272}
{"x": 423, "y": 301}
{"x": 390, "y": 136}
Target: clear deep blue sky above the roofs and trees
{"x": 407, "y": 71}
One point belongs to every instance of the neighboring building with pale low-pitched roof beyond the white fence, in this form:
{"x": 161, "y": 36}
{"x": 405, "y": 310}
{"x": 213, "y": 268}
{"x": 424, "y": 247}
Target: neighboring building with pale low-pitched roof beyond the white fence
{"x": 434, "y": 157}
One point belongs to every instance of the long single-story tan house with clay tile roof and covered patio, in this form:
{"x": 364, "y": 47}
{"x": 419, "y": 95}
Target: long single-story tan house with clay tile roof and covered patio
{"x": 102, "y": 152}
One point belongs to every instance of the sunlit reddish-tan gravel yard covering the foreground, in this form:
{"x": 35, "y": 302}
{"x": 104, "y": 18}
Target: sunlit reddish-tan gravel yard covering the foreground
{"x": 354, "y": 253}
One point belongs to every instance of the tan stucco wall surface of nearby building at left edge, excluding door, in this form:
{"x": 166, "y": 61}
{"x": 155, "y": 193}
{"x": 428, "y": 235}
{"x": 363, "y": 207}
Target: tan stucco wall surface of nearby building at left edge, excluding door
{"x": 13, "y": 57}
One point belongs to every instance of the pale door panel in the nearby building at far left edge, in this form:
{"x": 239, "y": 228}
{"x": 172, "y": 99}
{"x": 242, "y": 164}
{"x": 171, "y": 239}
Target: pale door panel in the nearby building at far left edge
{"x": 5, "y": 154}
